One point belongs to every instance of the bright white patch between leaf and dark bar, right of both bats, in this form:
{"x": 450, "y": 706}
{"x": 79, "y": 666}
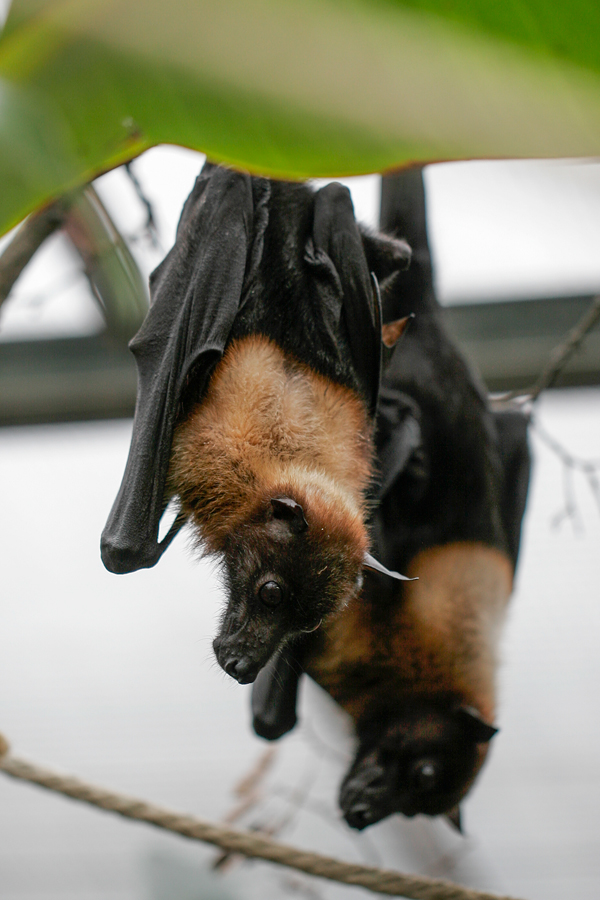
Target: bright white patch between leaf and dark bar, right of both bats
{"x": 520, "y": 229}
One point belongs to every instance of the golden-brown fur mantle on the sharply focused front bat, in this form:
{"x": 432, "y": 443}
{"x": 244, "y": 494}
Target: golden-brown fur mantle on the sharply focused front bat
{"x": 268, "y": 425}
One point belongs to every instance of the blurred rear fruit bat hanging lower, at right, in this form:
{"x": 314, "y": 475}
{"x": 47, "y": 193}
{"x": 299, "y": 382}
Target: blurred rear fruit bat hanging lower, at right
{"x": 414, "y": 664}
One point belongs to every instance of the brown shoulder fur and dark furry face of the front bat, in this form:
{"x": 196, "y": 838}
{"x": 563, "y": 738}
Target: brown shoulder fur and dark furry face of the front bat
{"x": 269, "y": 427}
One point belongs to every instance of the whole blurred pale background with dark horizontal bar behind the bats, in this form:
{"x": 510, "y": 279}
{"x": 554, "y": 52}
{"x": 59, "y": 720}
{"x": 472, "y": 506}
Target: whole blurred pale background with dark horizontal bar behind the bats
{"x": 112, "y": 678}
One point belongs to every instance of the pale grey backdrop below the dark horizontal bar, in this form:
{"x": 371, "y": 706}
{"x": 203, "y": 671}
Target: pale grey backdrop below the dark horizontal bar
{"x": 112, "y": 678}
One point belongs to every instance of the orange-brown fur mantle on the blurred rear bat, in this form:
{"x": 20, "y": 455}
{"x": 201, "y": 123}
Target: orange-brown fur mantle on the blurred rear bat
{"x": 439, "y": 637}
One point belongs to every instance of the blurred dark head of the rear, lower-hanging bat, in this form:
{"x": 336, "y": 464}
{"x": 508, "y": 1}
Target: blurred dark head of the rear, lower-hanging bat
{"x": 423, "y": 759}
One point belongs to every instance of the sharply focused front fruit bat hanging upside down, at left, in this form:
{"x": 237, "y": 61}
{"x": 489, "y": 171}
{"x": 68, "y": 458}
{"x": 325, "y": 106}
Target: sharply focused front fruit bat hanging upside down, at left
{"x": 259, "y": 367}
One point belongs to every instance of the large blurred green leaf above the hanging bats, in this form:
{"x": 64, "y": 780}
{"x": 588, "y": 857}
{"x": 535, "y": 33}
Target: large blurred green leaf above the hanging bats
{"x": 291, "y": 88}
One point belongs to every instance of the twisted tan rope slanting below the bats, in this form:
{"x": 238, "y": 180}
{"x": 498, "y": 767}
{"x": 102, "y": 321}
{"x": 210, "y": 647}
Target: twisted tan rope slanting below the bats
{"x": 380, "y": 881}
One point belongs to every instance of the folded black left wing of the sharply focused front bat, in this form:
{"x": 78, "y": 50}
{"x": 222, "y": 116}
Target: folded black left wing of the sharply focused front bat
{"x": 196, "y": 293}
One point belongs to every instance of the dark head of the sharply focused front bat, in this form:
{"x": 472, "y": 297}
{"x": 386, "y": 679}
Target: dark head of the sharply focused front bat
{"x": 286, "y": 569}
